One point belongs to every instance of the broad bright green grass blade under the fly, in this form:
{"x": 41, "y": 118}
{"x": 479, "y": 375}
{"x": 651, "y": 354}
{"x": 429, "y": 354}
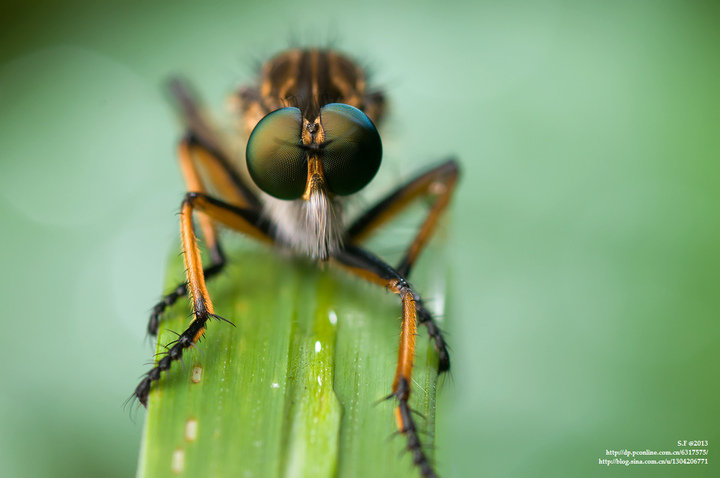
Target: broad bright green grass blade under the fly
{"x": 289, "y": 391}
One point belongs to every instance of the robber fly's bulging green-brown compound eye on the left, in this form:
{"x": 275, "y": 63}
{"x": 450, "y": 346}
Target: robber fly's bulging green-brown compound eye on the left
{"x": 275, "y": 157}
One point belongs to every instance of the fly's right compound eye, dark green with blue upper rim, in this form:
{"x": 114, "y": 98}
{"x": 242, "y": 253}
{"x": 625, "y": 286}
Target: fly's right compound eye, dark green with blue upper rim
{"x": 352, "y": 151}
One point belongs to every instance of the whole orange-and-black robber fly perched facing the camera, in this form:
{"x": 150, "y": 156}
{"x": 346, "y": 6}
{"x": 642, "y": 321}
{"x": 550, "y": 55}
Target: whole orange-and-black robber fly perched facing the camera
{"x": 312, "y": 144}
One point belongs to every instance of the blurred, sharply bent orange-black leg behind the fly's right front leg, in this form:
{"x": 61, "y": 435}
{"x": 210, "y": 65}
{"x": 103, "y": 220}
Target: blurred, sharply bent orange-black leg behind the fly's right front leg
{"x": 440, "y": 182}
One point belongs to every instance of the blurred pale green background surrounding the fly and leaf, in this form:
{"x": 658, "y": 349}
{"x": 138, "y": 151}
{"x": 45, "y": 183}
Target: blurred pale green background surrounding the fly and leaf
{"x": 585, "y": 233}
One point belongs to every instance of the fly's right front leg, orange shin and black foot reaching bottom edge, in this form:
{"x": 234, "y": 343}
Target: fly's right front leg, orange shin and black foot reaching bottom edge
{"x": 370, "y": 267}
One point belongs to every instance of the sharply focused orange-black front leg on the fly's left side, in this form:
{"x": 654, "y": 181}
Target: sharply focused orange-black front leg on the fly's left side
{"x": 247, "y": 221}
